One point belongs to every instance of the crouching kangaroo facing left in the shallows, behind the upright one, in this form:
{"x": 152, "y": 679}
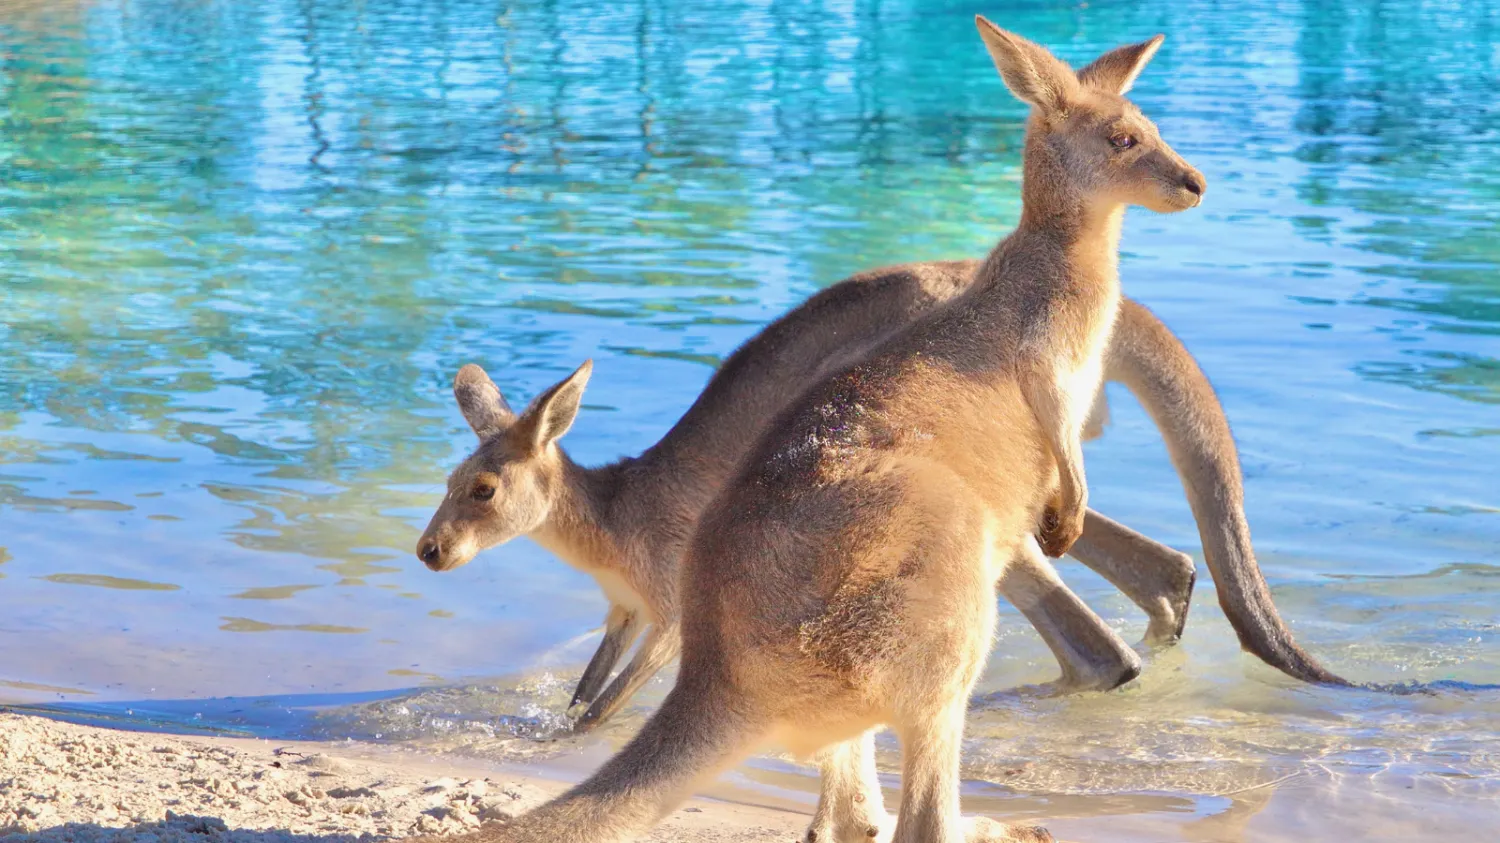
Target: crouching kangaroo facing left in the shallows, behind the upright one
{"x": 626, "y": 524}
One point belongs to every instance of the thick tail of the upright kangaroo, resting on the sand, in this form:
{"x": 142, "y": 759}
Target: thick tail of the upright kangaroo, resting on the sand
{"x": 698, "y": 731}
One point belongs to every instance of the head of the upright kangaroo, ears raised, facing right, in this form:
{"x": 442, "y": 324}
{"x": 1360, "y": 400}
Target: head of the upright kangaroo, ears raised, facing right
{"x": 1085, "y": 142}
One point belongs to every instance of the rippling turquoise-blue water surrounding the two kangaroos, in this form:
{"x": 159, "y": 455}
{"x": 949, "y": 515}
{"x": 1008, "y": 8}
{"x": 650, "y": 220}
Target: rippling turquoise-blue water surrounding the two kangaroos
{"x": 244, "y": 248}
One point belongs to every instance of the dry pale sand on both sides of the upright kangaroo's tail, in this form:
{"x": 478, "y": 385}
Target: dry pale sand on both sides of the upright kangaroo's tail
{"x": 61, "y": 782}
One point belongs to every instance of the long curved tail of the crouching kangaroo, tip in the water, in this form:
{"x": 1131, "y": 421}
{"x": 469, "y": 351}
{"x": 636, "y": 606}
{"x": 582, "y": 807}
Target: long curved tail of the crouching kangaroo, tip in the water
{"x": 1150, "y": 359}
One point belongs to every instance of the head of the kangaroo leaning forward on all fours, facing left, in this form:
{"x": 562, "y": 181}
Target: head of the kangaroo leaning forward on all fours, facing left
{"x": 508, "y": 487}
